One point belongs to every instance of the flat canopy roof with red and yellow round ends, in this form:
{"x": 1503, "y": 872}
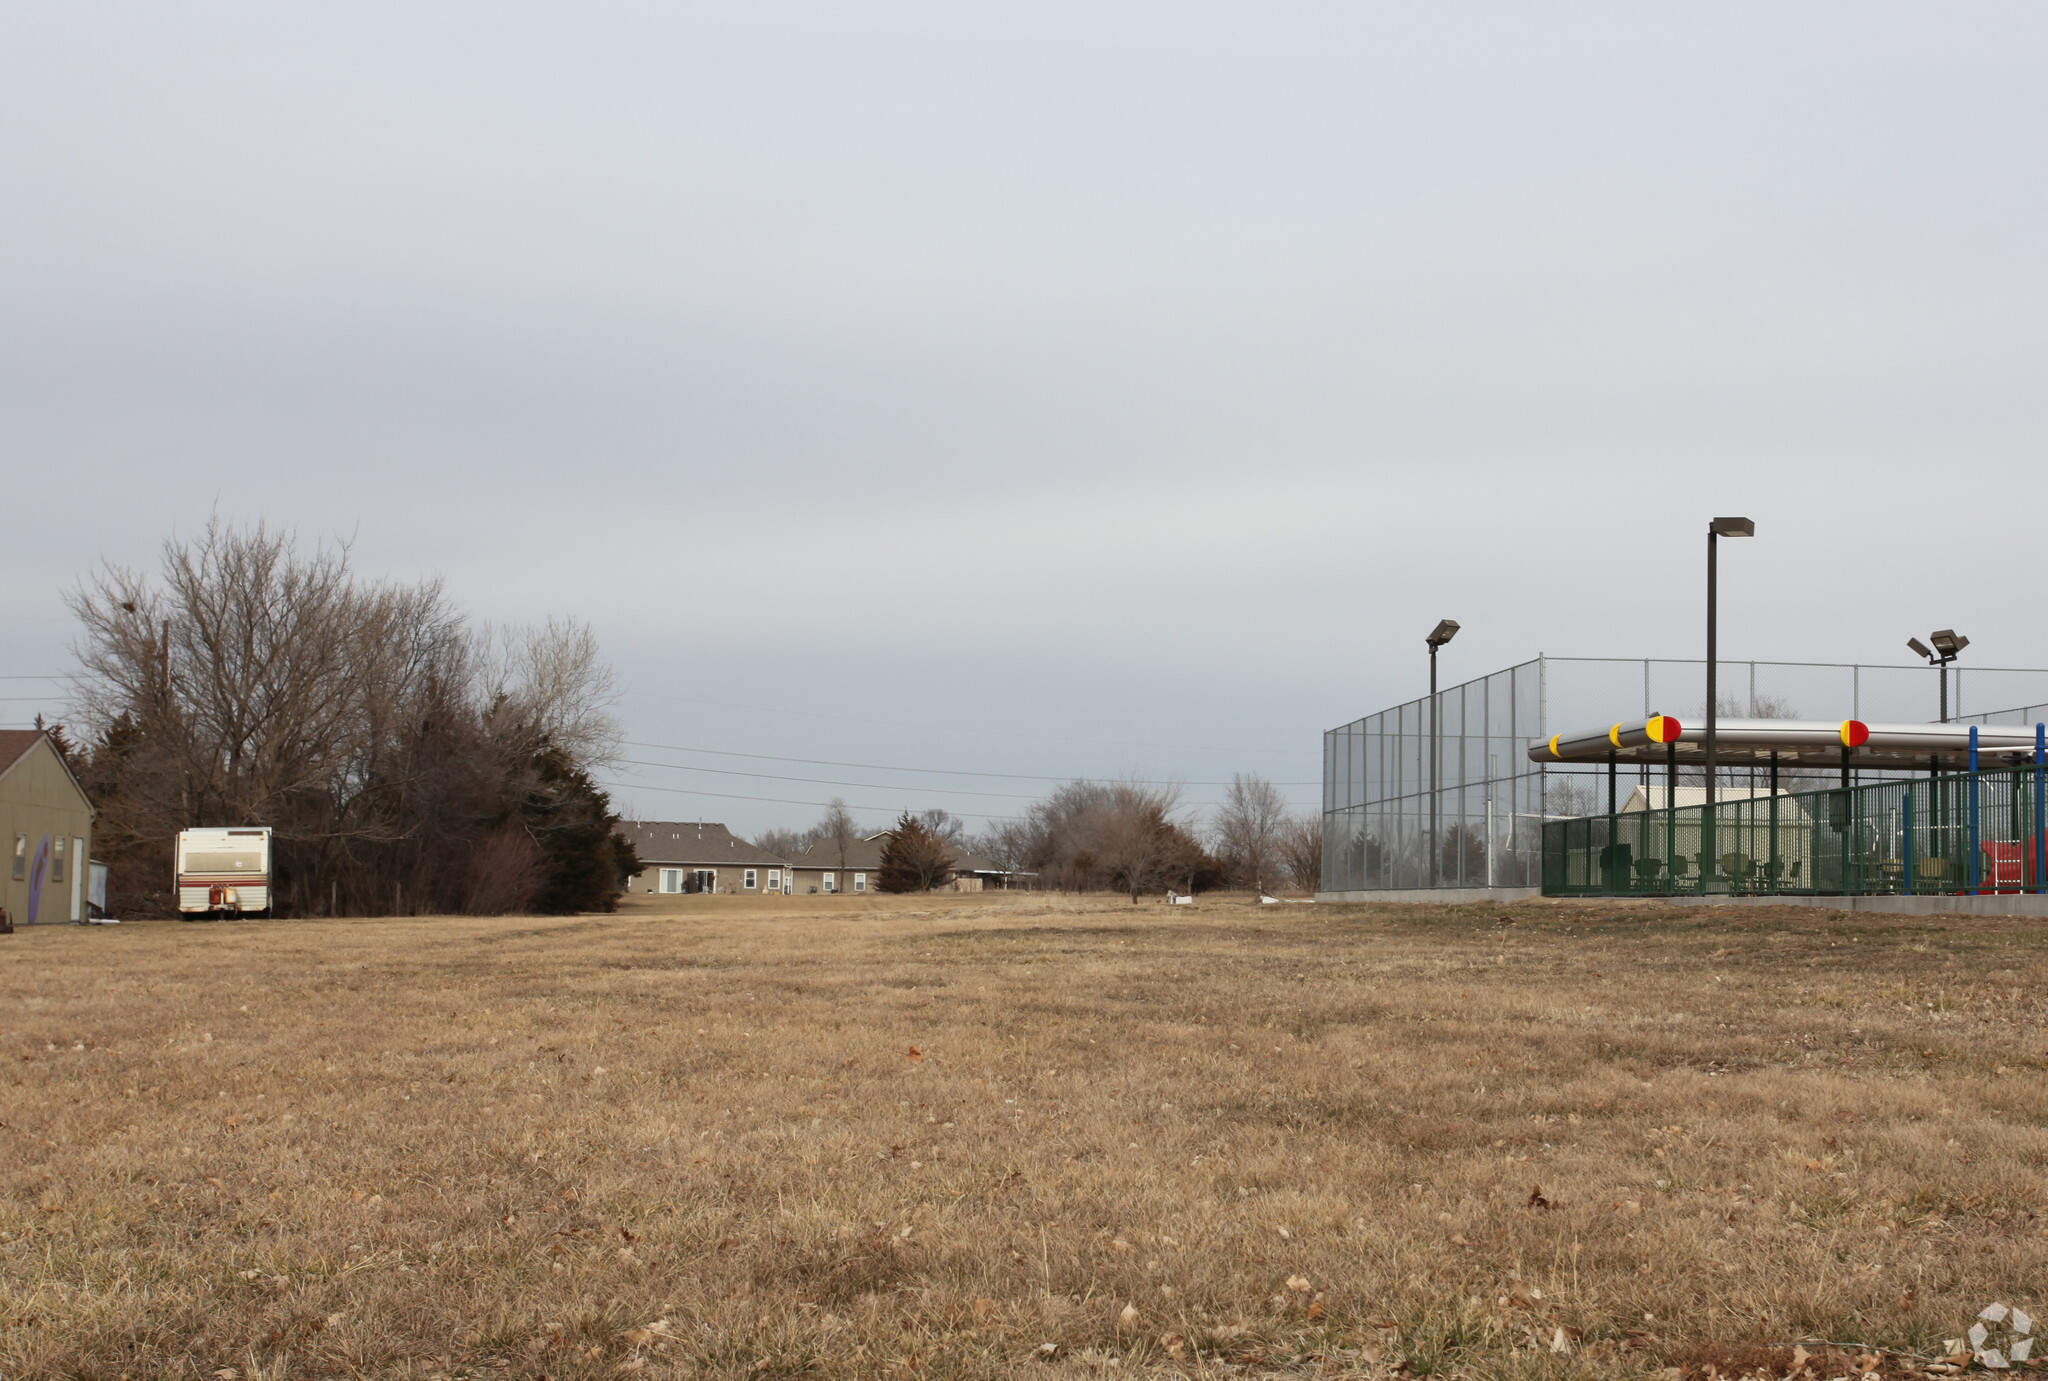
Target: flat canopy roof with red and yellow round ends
{"x": 1816, "y": 743}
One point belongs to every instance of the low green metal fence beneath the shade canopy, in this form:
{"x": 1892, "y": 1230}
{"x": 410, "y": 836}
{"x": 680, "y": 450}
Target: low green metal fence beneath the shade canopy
{"x": 1961, "y": 833}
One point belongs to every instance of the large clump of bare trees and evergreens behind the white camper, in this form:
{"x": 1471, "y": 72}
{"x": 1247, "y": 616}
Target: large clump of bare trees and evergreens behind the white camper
{"x": 407, "y": 759}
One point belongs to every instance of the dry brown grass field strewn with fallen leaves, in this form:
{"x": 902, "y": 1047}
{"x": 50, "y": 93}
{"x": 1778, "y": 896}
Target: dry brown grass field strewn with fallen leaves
{"x": 1019, "y": 1136}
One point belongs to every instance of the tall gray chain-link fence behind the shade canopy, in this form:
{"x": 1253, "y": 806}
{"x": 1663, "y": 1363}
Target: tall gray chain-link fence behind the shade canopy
{"x": 1482, "y": 825}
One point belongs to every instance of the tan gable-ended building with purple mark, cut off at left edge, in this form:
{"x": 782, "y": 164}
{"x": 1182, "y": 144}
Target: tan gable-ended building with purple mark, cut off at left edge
{"x": 46, "y": 827}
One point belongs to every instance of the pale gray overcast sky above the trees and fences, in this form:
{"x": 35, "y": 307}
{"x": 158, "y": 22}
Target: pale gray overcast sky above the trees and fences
{"x": 1041, "y": 388}
